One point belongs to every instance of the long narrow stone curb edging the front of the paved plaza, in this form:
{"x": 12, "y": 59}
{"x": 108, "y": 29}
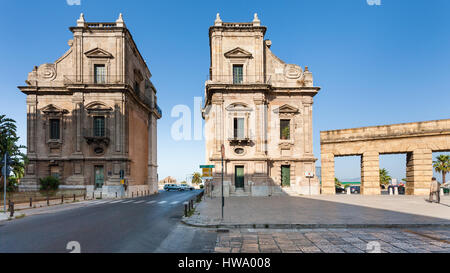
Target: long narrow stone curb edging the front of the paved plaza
{"x": 311, "y": 226}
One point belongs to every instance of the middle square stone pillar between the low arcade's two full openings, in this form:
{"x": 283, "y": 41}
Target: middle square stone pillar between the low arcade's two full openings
{"x": 370, "y": 173}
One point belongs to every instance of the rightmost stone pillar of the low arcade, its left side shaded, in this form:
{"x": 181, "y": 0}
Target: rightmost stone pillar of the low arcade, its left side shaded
{"x": 419, "y": 171}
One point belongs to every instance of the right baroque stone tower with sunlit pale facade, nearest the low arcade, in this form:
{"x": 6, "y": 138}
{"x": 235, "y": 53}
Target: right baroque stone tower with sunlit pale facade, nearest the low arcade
{"x": 260, "y": 109}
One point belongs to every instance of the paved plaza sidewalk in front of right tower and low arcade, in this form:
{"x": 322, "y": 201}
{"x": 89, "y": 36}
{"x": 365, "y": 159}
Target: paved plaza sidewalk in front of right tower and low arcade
{"x": 322, "y": 211}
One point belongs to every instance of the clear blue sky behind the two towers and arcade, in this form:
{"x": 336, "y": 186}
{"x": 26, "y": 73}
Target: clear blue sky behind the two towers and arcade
{"x": 376, "y": 64}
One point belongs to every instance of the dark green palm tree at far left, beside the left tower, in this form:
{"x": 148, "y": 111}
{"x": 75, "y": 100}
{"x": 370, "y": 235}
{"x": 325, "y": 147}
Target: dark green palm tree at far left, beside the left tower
{"x": 8, "y": 143}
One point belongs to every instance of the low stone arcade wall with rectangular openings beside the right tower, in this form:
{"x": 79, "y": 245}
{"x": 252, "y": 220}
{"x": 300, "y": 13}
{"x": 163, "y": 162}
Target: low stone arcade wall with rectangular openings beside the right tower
{"x": 418, "y": 140}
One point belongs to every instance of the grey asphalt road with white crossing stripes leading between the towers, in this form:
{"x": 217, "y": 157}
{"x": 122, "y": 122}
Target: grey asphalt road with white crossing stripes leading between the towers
{"x": 143, "y": 224}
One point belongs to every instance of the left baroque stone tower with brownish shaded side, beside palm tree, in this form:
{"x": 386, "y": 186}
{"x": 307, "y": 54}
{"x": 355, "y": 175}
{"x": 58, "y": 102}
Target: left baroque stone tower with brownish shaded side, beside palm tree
{"x": 92, "y": 114}
